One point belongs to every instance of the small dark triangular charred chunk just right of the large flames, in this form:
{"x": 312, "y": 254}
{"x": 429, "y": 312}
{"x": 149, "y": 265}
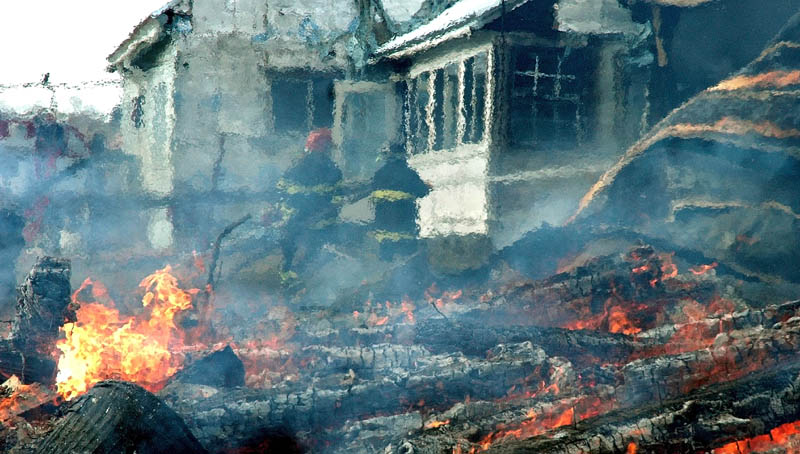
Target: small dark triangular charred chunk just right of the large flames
{"x": 222, "y": 369}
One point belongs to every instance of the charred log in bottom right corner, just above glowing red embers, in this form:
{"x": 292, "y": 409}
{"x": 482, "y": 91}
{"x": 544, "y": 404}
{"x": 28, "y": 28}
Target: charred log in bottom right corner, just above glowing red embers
{"x": 697, "y": 422}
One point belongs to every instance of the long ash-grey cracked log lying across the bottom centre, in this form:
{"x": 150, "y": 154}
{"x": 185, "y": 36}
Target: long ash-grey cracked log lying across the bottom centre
{"x": 225, "y": 418}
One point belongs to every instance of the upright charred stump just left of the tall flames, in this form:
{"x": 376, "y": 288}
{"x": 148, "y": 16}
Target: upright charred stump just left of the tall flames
{"x": 43, "y": 306}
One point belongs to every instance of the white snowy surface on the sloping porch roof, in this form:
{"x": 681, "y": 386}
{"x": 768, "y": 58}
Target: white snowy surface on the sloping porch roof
{"x": 460, "y": 14}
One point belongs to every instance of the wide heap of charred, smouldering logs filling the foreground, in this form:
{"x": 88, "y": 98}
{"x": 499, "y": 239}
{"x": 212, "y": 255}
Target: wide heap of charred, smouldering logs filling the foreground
{"x": 642, "y": 351}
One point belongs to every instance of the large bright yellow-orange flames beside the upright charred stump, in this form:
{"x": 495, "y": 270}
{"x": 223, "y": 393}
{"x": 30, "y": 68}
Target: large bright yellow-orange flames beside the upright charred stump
{"x": 103, "y": 344}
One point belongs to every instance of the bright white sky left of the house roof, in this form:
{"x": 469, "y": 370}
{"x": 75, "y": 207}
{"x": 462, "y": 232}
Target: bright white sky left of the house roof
{"x": 70, "y": 39}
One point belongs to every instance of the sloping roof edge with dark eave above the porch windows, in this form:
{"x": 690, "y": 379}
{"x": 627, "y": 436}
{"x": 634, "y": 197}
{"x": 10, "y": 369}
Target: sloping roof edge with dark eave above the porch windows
{"x": 414, "y": 42}
